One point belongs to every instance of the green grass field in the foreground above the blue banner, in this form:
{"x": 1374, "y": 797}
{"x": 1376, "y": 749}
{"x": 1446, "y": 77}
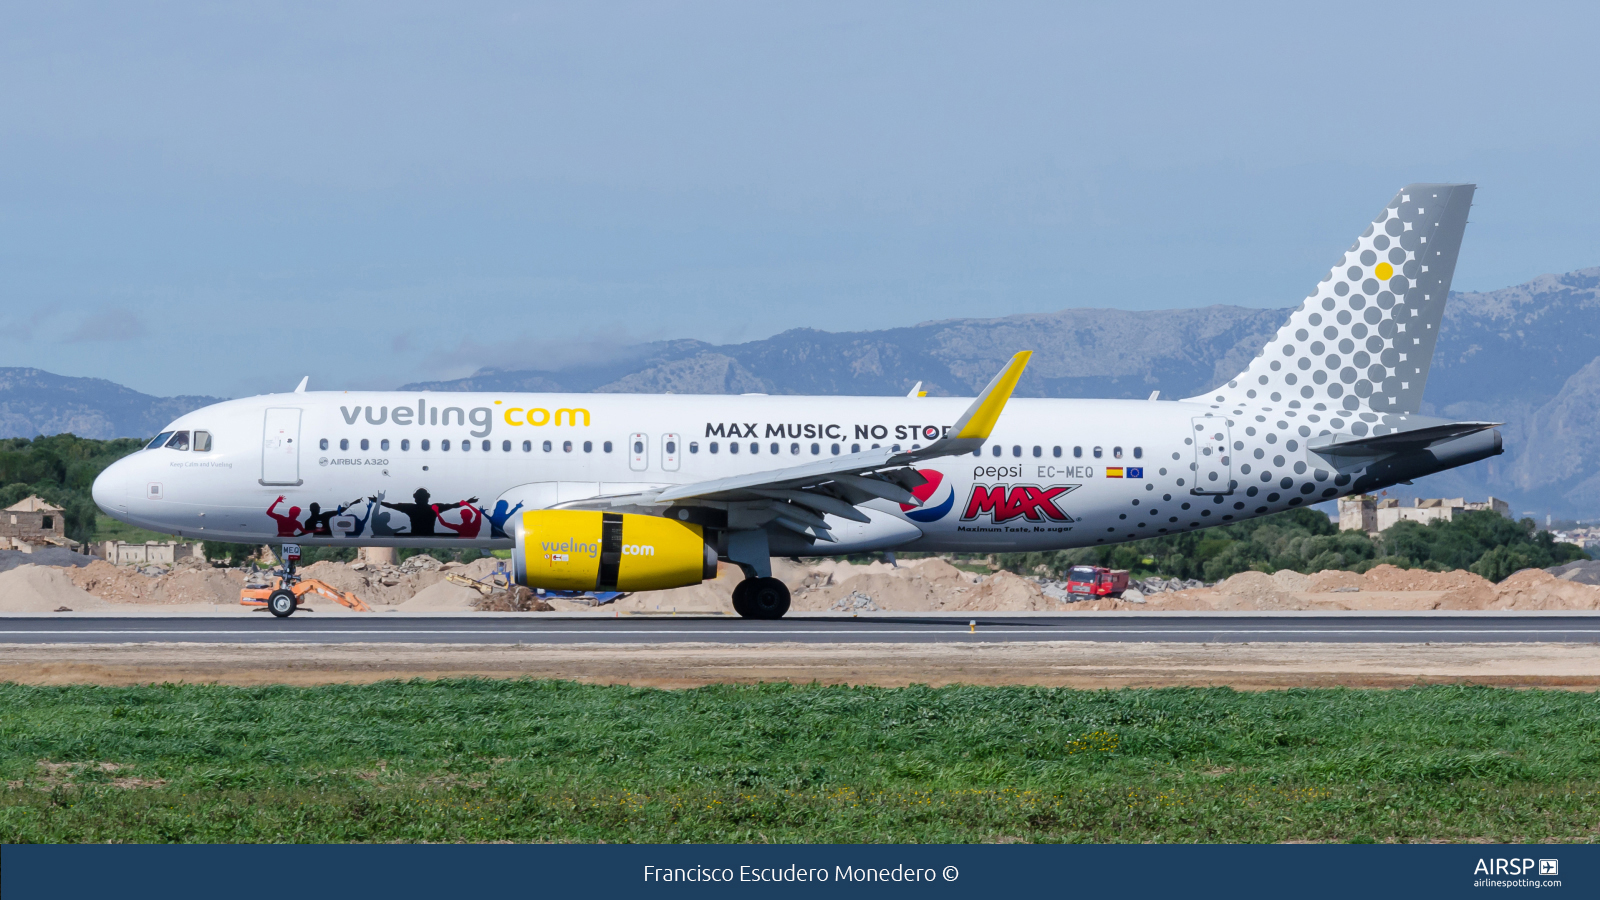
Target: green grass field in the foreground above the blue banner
{"x": 559, "y": 761}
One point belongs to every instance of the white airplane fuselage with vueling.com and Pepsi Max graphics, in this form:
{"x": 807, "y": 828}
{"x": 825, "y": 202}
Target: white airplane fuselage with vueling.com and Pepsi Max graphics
{"x": 1054, "y": 475}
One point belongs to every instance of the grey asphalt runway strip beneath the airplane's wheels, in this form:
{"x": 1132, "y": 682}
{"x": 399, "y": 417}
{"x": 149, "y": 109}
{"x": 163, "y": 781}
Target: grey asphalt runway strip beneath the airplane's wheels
{"x": 814, "y": 630}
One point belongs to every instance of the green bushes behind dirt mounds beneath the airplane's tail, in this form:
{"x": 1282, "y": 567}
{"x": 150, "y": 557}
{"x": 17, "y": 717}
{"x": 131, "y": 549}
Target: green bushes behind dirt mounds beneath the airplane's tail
{"x": 1306, "y": 540}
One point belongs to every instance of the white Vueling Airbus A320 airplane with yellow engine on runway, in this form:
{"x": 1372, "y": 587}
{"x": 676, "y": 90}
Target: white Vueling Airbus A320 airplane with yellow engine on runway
{"x": 638, "y": 492}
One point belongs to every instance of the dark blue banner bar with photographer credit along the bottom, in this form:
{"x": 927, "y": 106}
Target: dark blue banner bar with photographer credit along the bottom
{"x": 1009, "y": 870}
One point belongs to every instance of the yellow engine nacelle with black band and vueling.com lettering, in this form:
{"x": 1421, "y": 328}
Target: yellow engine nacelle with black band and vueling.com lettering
{"x": 578, "y": 550}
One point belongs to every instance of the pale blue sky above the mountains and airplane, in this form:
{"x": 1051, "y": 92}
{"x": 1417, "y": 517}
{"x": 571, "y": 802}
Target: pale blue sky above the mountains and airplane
{"x": 222, "y": 199}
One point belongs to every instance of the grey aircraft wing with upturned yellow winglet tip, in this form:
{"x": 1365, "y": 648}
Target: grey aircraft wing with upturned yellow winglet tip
{"x": 798, "y": 497}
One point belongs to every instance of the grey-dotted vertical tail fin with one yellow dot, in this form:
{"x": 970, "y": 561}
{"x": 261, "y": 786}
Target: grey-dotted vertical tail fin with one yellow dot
{"x": 1364, "y": 340}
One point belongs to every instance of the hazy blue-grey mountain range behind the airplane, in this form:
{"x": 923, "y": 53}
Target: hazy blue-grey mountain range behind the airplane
{"x": 1527, "y": 356}
